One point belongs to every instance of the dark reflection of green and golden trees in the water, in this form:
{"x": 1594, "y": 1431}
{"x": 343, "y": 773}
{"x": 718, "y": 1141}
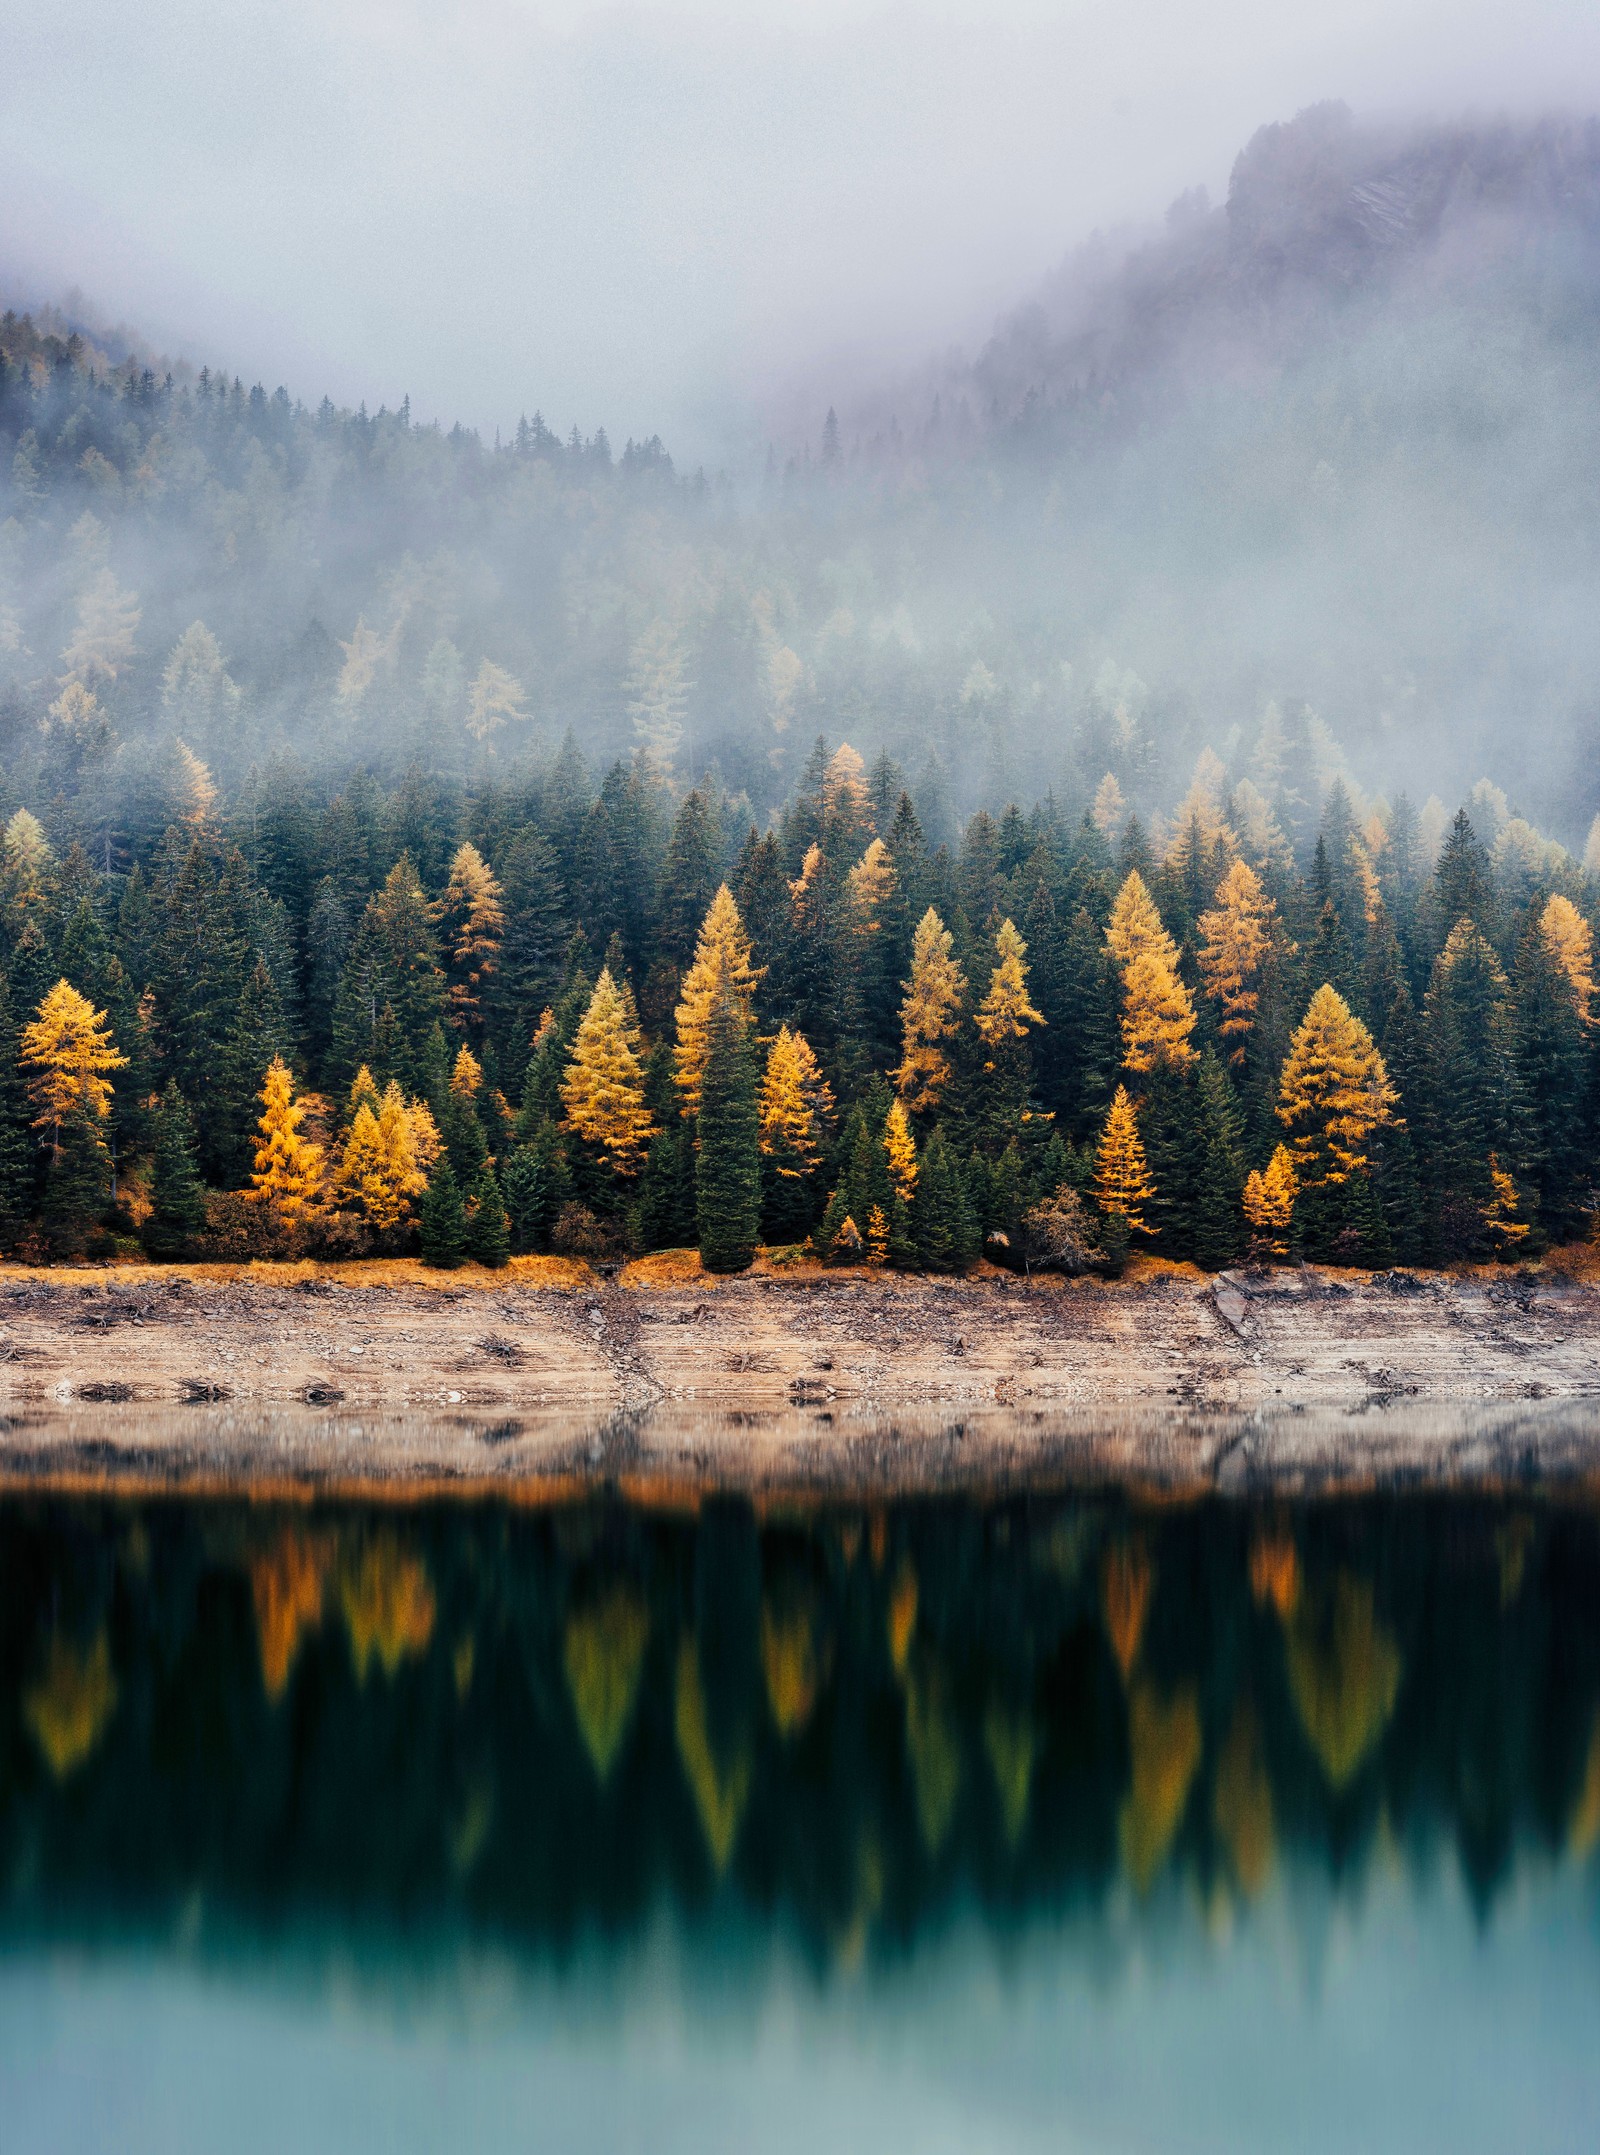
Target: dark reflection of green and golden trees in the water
{"x": 534, "y": 1725}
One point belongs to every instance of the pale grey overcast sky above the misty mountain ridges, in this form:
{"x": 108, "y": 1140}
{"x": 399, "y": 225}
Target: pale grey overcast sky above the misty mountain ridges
{"x": 646, "y": 217}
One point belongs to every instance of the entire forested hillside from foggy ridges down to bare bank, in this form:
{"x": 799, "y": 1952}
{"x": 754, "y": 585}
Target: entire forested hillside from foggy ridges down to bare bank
{"x": 419, "y": 837}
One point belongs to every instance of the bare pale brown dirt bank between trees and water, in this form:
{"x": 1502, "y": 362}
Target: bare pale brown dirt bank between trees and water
{"x": 387, "y": 1372}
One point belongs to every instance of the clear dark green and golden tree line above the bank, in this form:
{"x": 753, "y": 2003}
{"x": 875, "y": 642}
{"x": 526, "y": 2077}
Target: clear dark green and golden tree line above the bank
{"x": 555, "y": 1014}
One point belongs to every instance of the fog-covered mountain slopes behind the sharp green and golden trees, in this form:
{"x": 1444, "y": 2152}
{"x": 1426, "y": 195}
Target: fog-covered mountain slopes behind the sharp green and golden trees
{"x": 1332, "y": 443}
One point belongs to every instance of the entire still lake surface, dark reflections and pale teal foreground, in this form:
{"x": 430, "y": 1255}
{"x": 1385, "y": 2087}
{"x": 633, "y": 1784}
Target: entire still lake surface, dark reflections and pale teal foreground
{"x": 1030, "y": 1822}
